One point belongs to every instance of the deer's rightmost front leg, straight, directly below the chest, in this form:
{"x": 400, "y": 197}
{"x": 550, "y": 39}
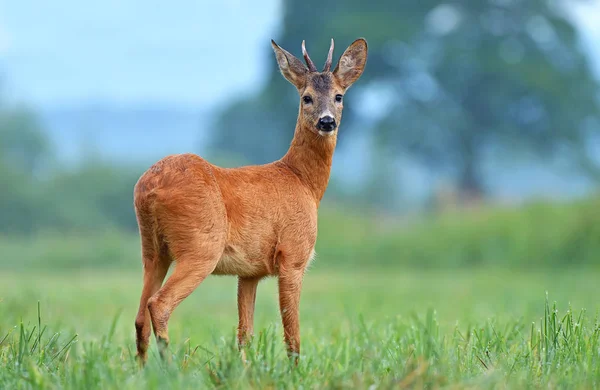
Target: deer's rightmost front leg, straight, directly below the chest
{"x": 290, "y": 285}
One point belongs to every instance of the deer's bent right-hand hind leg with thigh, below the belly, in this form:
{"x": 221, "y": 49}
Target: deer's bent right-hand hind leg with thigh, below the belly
{"x": 195, "y": 260}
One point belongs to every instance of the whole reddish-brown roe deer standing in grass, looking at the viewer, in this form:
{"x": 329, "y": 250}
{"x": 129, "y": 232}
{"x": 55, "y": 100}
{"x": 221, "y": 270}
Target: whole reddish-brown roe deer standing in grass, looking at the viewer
{"x": 253, "y": 221}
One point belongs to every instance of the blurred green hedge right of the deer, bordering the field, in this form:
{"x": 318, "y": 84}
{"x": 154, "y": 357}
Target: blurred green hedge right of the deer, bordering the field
{"x": 537, "y": 235}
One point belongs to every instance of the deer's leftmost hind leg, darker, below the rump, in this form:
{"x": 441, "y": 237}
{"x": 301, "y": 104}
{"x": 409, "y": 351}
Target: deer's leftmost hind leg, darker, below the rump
{"x": 156, "y": 264}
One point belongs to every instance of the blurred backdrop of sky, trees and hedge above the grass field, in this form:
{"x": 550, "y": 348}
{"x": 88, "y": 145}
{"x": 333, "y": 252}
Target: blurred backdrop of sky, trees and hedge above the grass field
{"x": 472, "y": 138}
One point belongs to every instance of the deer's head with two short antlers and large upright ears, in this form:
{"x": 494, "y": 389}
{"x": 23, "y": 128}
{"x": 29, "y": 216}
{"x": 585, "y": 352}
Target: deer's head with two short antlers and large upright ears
{"x": 322, "y": 93}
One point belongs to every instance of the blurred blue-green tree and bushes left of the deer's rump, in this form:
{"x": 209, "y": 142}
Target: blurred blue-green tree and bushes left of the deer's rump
{"x": 35, "y": 197}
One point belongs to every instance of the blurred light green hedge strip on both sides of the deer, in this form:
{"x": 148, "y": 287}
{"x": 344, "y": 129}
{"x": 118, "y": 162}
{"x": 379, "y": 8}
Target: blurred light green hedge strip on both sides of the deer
{"x": 537, "y": 235}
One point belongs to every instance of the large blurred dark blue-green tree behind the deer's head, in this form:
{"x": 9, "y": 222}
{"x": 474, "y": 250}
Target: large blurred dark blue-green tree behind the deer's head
{"x": 447, "y": 81}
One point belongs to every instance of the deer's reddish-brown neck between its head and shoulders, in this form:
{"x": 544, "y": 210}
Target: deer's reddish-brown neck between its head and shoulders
{"x": 310, "y": 156}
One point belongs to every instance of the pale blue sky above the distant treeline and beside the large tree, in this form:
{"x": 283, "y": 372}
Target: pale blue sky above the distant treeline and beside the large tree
{"x": 129, "y": 52}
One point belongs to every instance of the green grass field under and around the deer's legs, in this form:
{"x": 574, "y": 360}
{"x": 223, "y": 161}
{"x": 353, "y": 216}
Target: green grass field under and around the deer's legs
{"x": 384, "y": 328}
